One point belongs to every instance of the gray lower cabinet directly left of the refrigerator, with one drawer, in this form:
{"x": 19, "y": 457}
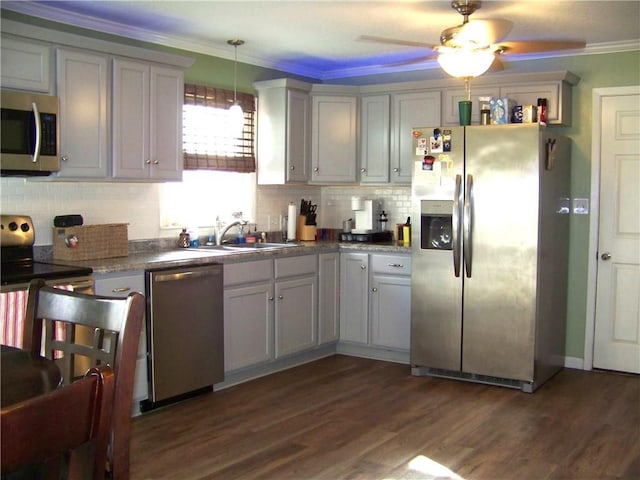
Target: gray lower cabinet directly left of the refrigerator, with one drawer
{"x": 375, "y": 302}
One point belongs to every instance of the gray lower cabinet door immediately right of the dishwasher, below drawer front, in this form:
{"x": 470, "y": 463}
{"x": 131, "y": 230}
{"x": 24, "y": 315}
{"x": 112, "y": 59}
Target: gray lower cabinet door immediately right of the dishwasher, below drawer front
{"x": 248, "y": 325}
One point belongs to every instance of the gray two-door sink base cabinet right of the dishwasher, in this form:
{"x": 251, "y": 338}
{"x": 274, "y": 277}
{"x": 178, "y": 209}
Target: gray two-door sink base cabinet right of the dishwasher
{"x": 270, "y": 309}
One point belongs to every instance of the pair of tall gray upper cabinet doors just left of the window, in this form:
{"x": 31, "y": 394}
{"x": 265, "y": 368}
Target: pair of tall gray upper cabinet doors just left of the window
{"x": 147, "y": 121}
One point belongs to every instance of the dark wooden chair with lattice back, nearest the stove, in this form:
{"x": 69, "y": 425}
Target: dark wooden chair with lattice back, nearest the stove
{"x": 114, "y": 326}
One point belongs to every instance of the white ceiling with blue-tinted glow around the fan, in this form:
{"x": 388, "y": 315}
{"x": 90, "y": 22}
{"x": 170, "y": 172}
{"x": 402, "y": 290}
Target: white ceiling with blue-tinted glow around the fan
{"x": 320, "y": 39}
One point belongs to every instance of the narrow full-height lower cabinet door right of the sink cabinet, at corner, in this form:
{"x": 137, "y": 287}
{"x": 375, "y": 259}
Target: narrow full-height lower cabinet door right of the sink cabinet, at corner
{"x": 328, "y": 297}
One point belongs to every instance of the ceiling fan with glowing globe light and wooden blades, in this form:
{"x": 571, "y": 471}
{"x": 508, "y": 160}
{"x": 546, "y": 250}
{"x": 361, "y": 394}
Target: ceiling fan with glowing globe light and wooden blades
{"x": 482, "y": 40}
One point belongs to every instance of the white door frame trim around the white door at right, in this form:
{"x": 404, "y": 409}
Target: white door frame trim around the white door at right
{"x": 594, "y": 217}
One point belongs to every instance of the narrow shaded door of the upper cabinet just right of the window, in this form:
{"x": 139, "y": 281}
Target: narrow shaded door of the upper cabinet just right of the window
{"x": 298, "y": 136}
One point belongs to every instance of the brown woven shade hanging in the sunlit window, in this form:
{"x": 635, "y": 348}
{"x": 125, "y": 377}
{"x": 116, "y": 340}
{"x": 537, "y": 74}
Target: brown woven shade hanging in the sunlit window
{"x": 210, "y": 141}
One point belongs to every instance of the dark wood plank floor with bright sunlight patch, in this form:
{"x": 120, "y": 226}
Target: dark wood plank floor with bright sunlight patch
{"x": 351, "y": 418}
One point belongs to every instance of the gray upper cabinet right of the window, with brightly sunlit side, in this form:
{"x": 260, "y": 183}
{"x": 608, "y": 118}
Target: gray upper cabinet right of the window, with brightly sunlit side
{"x": 284, "y": 132}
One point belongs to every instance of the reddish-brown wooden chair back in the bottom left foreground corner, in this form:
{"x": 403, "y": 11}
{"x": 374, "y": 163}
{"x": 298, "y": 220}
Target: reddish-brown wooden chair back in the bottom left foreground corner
{"x": 75, "y": 419}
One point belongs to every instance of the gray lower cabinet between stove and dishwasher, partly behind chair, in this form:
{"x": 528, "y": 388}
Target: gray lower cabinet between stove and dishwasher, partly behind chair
{"x": 122, "y": 284}
